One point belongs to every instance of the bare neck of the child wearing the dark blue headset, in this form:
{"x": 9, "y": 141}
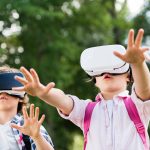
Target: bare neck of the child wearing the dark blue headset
{"x": 7, "y": 115}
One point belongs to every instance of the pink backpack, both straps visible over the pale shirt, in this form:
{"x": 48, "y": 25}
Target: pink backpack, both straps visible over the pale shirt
{"x": 132, "y": 112}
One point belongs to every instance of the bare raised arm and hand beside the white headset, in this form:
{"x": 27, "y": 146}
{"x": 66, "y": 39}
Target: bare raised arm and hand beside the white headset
{"x": 135, "y": 56}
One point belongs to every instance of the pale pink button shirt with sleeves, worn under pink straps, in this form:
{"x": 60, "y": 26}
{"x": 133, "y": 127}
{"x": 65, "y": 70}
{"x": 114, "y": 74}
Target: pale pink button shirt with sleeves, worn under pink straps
{"x": 111, "y": 128}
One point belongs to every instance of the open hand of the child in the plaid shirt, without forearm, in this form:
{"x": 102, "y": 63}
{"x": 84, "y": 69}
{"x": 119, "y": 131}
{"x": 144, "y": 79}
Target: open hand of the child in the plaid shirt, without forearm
{"x": 31, "y": 125}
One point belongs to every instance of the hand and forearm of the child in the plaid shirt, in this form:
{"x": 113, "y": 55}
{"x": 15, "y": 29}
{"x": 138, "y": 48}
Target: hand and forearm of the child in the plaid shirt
{"x": 31, "y": 128}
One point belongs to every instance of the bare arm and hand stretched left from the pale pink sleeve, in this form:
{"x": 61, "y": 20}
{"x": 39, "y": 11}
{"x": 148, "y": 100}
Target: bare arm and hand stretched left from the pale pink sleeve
{"x": 49, "y": 94}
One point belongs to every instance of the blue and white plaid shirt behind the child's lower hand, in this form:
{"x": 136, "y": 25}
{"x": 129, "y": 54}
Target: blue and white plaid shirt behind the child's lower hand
{"x": 18, "y": 119}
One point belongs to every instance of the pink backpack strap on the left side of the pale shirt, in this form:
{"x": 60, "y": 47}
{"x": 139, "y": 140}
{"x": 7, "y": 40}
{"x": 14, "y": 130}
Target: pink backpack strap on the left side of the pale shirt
{"x": 87, "y": 120}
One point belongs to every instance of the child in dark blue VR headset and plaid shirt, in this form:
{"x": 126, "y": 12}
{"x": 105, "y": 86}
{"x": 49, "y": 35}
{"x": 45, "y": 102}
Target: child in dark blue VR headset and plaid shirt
{"x": 17, "y": 133}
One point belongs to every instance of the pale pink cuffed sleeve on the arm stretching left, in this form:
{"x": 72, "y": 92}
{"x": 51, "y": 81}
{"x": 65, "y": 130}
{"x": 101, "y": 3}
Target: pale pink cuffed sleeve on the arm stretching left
{"x": 77, "y": 114}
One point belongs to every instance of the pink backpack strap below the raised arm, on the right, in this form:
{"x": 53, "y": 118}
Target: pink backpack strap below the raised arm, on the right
{"x": 134, "y": 116}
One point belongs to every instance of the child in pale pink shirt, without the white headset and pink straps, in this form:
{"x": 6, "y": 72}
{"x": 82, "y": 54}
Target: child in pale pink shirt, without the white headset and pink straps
{"x": 111, "y": 127}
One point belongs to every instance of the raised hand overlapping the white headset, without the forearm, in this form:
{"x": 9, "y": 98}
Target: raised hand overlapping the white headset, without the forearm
{"x": 134, "y": 53}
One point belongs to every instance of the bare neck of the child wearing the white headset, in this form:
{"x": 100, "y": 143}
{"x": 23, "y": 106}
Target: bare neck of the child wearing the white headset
{"x": 109, "y": 95}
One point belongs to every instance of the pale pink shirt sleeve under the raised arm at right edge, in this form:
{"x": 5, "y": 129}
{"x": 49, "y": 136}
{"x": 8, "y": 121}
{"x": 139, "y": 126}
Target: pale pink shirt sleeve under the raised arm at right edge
{"x": 142, "y": 106}
